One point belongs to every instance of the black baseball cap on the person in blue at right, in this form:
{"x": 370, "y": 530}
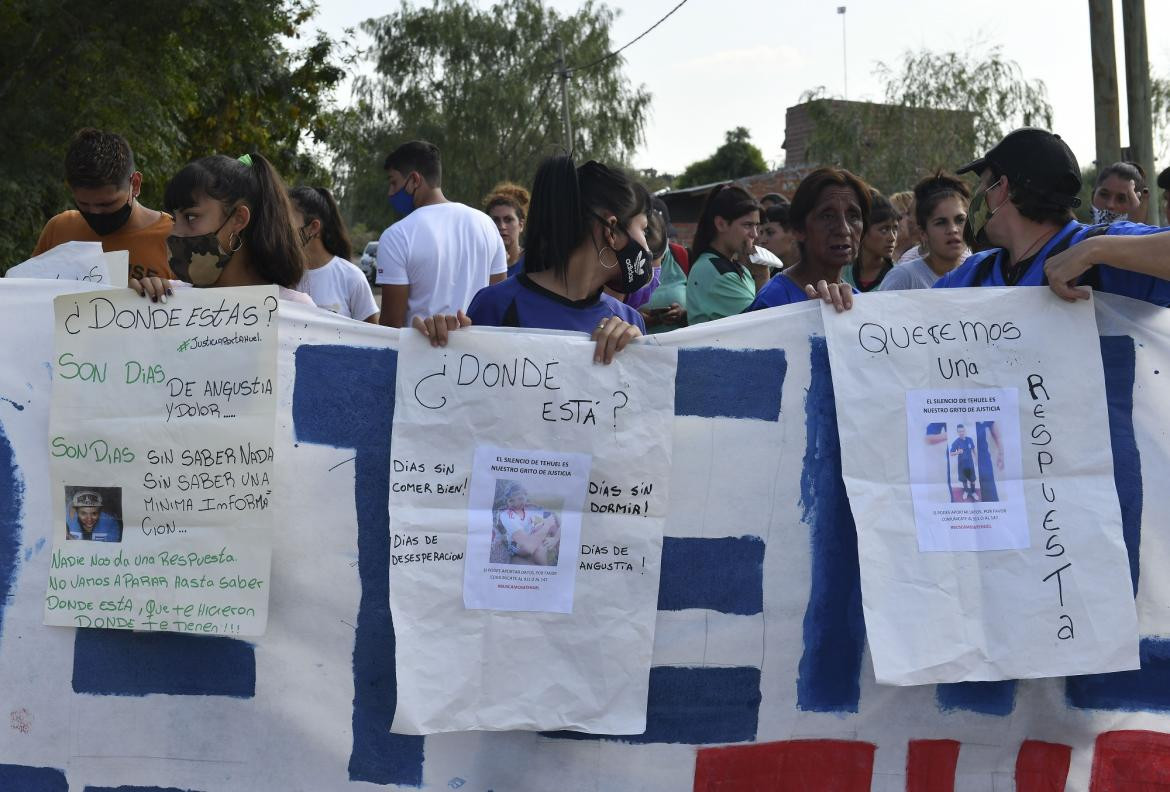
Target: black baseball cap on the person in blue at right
{"x": 1037, "y": 160}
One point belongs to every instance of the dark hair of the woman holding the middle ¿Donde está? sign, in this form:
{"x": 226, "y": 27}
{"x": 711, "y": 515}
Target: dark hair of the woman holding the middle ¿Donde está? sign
{"x": 567, "y": 201}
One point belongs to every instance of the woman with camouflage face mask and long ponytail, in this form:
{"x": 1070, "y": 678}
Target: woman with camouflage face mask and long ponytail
{"x": 232, "y": 228}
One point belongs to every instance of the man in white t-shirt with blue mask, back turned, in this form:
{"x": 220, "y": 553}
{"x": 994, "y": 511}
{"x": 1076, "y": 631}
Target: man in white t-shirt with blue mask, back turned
{"x": 441, "y": 253}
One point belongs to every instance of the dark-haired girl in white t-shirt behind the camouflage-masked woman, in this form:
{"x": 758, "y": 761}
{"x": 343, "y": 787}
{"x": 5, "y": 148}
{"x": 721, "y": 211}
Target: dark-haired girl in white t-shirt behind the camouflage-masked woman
{"x": 333, "y": 281}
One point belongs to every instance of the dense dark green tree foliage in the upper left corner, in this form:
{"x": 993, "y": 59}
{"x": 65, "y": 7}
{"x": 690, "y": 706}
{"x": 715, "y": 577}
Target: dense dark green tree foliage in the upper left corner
{"x": 177, "y": 80}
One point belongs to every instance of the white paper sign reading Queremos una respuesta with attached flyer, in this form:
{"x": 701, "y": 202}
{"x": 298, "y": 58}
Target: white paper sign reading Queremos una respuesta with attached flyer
{"x": 976, "y": 452}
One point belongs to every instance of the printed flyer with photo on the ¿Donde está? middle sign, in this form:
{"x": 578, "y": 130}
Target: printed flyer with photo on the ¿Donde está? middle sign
{"x": 524, "y": 533}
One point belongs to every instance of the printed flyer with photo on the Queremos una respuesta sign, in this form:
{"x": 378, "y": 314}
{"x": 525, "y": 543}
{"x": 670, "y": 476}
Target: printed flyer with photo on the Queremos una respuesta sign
{"x": 966, "y": 471}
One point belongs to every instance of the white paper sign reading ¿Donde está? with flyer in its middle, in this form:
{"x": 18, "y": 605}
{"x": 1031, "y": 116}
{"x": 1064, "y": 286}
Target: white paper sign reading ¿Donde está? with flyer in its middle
{"x": 528, "y": 497}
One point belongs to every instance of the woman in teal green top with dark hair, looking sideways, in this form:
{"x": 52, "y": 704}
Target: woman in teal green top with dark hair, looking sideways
{"x": 720, "y": 284}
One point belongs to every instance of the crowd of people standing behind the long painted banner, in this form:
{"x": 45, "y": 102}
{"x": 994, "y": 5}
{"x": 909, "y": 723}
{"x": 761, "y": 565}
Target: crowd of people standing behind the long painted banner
{"x": 590, "y": 250}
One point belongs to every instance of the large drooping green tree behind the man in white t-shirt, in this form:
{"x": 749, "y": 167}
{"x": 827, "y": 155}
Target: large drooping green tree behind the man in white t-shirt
{"x": 481, "y": 85}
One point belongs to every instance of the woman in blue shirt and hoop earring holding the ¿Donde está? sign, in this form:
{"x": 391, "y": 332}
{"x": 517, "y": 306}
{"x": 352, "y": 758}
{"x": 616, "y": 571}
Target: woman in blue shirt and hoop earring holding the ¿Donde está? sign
{"x": 587, "y": 230}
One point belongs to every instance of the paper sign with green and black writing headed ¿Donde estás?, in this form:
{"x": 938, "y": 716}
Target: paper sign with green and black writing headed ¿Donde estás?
{"x": 162, "y": 457}
